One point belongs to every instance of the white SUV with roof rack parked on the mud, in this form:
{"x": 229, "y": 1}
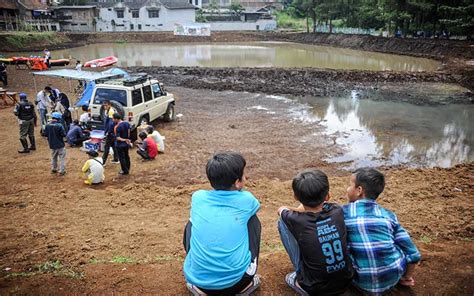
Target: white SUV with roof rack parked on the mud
{"x": 137, "y": 99}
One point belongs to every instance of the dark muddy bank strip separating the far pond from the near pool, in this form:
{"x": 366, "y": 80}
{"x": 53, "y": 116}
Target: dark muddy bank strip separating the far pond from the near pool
{"x": 307, "y": 81}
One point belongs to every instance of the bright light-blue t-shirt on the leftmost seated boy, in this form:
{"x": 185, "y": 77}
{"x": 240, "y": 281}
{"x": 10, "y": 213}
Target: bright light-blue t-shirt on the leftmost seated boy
{"x": 219, "y": 251}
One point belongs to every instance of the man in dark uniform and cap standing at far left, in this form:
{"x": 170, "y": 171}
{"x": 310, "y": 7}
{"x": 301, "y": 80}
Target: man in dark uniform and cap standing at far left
{"x": 25, "y": 111}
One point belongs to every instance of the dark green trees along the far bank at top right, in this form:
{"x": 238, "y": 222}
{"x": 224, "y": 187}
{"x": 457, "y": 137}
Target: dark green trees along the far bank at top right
{"x": 403, "y": 16}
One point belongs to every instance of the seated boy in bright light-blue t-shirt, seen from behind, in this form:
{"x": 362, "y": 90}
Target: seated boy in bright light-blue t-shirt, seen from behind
{"x": 222, "y": 237}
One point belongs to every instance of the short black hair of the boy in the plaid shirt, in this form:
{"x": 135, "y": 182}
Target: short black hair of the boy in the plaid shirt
{"x": 371, "y": 180}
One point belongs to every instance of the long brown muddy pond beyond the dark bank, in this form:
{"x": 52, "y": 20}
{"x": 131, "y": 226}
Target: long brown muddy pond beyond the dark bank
{"x": 248, "y": 54}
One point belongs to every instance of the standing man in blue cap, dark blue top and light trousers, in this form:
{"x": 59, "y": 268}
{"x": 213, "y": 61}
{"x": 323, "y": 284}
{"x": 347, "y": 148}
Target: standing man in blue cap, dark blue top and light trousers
{"x": 55, "y": 133}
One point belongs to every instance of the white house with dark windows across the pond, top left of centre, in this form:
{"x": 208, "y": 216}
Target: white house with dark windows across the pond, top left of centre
{"x": 143, "y": 15}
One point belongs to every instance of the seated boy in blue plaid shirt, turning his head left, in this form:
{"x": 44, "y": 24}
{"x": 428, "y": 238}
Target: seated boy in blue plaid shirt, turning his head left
{"x": 382, "y": 251}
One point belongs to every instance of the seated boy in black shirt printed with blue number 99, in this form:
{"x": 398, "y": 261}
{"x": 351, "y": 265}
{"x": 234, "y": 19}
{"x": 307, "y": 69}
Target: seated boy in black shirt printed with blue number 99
{"x": 314, "y": 236}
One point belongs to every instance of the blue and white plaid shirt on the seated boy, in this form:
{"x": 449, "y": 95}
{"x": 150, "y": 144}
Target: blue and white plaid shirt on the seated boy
{"x": 379, "y": 246}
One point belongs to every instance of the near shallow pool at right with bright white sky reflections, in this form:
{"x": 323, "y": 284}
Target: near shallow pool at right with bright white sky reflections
{"x": 375, "y": 133}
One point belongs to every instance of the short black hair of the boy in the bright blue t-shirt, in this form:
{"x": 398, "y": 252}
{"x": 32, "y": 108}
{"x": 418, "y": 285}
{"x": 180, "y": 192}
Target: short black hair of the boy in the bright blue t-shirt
{"x": 224, "y": 168}
